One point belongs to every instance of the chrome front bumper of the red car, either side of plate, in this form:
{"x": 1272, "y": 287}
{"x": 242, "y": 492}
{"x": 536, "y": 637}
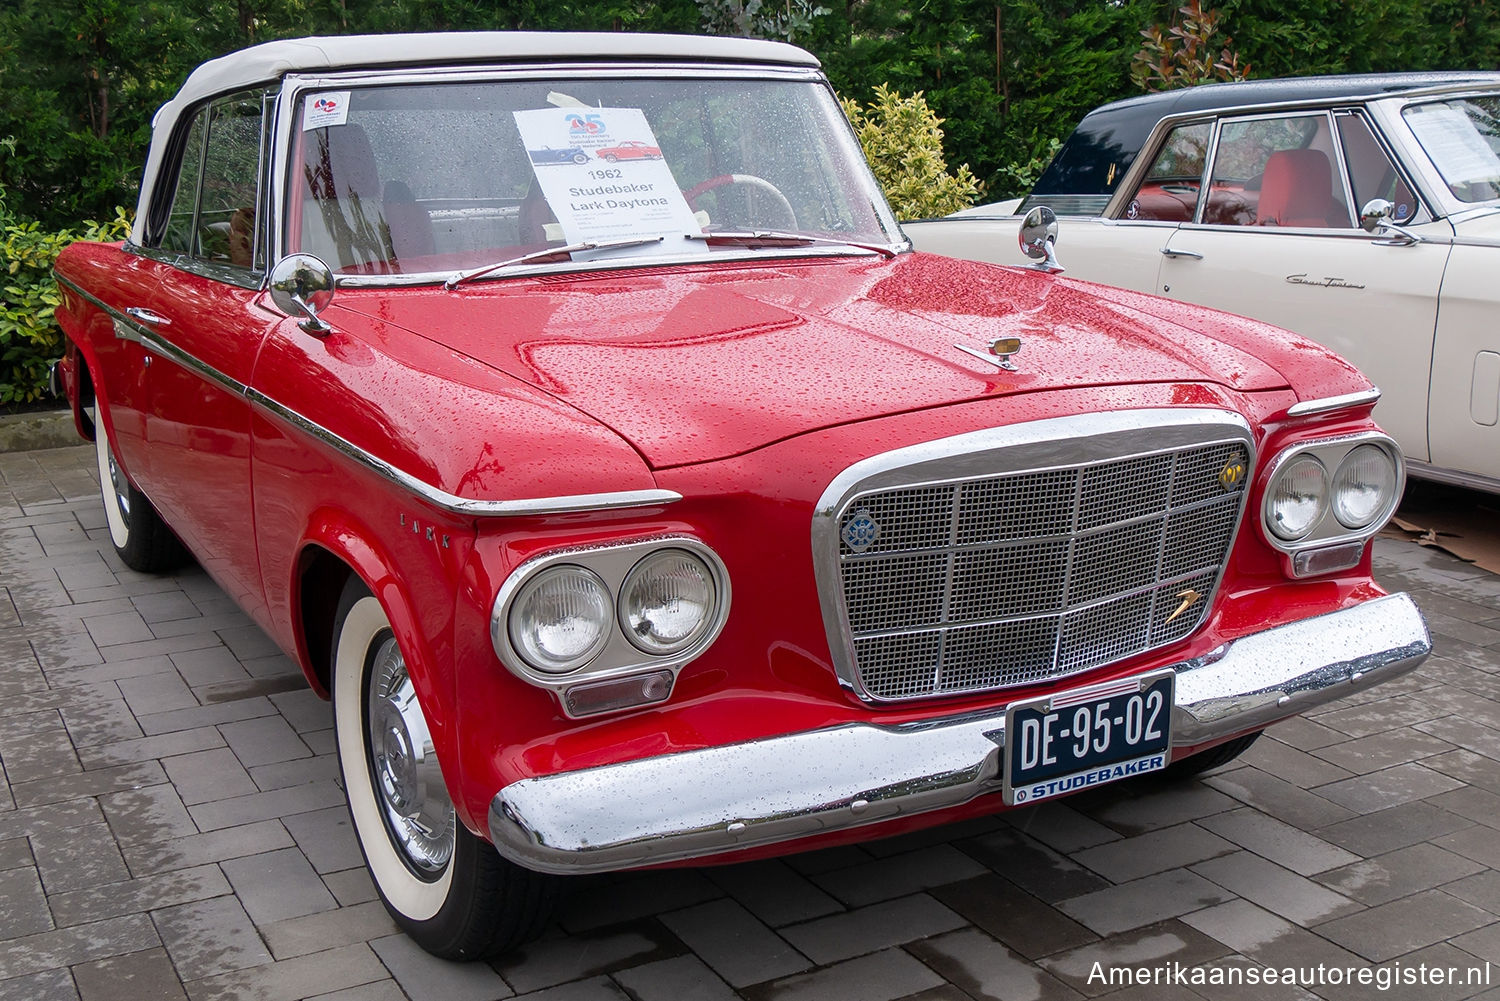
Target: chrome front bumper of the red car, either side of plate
{"x": 715, "y": 801}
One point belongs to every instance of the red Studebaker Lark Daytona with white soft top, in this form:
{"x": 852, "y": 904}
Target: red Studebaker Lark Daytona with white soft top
{"x": 632, "y": 526}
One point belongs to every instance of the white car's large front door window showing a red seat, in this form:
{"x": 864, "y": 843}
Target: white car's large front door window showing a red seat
{"x": 1277, "y": 173}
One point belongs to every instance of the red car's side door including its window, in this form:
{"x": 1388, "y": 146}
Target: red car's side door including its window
{"x": 206, "y": 332}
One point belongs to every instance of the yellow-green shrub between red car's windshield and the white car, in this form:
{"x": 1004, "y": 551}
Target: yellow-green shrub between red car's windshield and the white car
{"x": 904, "y": 143}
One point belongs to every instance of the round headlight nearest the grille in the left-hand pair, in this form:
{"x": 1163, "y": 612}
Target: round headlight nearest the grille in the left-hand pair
{"x": 668, "y": 603}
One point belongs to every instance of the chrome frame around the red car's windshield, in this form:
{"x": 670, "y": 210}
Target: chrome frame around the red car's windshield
{"x": 295, "y": 85}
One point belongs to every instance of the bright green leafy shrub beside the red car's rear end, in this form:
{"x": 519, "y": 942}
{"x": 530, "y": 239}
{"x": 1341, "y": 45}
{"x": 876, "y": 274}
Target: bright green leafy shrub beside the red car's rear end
{"x": 29, "y": 335}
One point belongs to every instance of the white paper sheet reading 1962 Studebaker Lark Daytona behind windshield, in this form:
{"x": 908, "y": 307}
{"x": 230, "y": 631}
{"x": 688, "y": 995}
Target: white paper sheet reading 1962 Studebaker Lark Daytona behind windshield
{"x": 604, "y": 175}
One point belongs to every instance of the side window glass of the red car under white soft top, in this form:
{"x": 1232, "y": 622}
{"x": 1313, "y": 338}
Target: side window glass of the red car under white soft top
{"x": 215, "y": 208}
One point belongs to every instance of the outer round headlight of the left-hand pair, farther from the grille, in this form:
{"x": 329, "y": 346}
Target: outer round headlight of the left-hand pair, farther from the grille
{"x": 562, "y": 619}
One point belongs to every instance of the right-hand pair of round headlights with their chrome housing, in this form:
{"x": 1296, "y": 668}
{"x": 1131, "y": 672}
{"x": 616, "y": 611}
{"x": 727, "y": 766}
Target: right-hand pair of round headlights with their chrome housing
{"x": 1331, "y": 494}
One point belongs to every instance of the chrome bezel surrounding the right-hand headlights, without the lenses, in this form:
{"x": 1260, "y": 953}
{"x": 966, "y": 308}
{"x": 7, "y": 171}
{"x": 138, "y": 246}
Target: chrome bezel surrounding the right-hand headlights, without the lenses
{"x": 1328, "y": 532}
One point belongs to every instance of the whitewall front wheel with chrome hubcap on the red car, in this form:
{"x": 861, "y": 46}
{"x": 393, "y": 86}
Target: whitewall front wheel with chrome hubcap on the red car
{"x": 446, "y": 888}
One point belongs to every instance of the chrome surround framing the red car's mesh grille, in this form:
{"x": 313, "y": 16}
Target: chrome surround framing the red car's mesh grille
{"x": 1072, "y": 442}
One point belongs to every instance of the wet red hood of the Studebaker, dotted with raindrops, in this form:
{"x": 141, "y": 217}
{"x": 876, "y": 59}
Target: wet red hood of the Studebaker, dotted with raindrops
{"x": 710, "y": 361}
